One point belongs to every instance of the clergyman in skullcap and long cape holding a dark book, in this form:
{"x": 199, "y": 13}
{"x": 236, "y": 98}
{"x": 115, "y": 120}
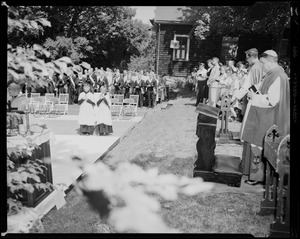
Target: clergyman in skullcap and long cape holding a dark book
{"x": 269, "y": 106}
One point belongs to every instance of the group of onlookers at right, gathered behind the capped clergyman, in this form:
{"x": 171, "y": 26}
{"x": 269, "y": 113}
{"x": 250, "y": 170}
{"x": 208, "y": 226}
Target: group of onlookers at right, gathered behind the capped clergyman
{"x": 213, "y": 80}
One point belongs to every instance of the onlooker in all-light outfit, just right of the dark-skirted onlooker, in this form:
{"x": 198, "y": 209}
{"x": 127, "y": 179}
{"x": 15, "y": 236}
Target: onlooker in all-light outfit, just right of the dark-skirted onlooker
{"x": 213, "y": 82}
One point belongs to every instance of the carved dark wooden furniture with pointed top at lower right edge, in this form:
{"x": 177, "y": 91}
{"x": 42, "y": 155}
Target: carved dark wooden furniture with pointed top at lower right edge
{"x": 276, "y": 200}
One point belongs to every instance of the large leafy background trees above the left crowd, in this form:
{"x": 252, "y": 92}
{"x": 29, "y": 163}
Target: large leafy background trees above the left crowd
{"x": 109, "y": 30}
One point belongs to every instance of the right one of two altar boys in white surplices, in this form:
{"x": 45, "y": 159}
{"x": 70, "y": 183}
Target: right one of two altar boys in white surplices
{"x": 103, "y": 113}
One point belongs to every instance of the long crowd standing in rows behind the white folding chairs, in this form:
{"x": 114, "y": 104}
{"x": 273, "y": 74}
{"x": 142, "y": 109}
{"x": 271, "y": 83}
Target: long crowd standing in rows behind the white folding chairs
{"x": 145, "y": 83}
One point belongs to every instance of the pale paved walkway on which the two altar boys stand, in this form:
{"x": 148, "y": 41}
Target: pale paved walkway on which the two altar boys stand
{"x": 68, "y": 143}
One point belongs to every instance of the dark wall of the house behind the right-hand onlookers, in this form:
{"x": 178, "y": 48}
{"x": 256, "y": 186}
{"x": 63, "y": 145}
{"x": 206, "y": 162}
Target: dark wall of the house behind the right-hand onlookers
{"x": 201, "y": 51}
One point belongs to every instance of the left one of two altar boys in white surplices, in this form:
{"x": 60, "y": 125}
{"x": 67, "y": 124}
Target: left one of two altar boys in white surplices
{"x": 86, "y": 117}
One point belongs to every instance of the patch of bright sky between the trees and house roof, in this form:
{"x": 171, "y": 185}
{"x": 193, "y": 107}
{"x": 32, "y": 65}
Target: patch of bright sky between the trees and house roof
{"x": 169, "y": 14}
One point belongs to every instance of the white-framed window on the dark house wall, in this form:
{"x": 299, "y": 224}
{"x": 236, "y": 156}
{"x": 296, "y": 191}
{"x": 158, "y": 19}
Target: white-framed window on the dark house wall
{"x": 182, "y": 53}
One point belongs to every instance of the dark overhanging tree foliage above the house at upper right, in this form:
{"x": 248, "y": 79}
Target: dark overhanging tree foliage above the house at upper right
{"x": 260, "y": 17}
